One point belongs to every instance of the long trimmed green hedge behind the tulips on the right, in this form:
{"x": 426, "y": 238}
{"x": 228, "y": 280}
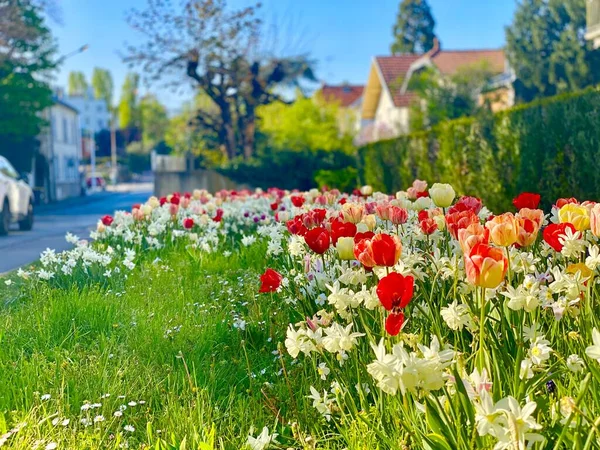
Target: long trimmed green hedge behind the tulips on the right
{"x": 551, "y": 147}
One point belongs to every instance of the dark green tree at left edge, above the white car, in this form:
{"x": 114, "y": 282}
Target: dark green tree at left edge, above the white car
{"x": 26, "y": 62}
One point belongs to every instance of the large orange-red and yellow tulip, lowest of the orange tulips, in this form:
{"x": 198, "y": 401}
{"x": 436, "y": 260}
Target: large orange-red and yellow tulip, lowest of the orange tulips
{"x": 486, "y": 266}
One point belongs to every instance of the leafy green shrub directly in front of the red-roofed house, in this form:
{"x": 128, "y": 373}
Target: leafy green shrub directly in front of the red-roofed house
{"x": 446, "y": 98}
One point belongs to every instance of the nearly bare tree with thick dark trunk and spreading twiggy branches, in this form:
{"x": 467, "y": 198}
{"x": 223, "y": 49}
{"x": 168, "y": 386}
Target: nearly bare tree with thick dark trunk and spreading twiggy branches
{"x": 222, "y": 52}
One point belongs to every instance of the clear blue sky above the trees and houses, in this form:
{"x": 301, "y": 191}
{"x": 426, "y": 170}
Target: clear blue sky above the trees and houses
{"x": 342, "y": 35}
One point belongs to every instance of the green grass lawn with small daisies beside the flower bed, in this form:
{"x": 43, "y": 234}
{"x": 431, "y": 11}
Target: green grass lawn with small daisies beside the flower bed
{"x": 184, "y": 355}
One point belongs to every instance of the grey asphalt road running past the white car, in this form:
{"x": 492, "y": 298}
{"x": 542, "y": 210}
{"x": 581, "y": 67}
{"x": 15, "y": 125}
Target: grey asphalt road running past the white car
{"x": 77, "y": 215}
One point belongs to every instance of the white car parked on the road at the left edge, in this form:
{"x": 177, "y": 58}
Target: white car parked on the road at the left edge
{"x": 16, "y": 199}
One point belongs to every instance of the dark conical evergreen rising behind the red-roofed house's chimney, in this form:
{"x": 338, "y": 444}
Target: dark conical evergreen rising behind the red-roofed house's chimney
{"x": 414, "y": 28}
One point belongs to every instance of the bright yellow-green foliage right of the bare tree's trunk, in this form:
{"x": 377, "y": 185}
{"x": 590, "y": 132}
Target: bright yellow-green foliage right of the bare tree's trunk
{"x": 306, "y": 124}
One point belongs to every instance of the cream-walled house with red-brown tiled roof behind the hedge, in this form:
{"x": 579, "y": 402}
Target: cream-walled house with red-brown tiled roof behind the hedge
{"x": 386, "y": 99}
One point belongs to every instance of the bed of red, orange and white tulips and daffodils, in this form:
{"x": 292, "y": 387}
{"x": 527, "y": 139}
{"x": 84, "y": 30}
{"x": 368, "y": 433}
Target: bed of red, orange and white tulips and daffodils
{"x": 410, "y": 321}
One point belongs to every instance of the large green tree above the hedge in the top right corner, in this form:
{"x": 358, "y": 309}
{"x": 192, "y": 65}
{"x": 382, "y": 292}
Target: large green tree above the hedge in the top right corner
{"x": 547, "y": 49}
